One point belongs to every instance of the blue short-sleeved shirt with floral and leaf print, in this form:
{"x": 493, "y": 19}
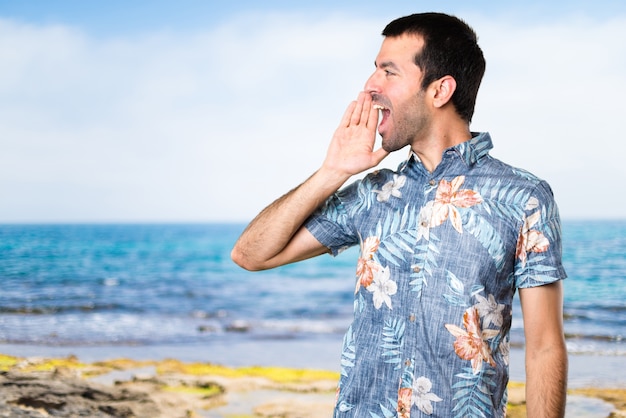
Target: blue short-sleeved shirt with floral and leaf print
{"x": 442, "y": 255}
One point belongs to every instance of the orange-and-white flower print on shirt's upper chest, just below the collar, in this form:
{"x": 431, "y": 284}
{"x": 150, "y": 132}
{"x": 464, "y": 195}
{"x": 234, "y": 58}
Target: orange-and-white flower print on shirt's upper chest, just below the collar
{"x": 449, "y": 198}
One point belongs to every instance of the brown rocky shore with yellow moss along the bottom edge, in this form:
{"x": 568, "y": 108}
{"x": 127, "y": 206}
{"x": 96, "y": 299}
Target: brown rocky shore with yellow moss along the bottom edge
{"x": 40, "y": 387}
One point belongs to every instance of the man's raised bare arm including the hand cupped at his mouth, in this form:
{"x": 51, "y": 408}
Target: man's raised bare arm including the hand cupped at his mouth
{"x": 276, "y": 237}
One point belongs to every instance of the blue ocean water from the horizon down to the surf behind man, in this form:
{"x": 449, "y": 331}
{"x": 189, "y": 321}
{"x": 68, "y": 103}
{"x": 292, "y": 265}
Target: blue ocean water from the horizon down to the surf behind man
{"x": 145, "y": 285}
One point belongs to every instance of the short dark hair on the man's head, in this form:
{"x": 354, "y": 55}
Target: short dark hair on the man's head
{"x": 450, "y": 48}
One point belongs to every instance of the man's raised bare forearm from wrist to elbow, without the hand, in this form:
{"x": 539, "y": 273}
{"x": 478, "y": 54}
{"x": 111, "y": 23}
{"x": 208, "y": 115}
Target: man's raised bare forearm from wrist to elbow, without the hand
{"x": 263, "y": 243}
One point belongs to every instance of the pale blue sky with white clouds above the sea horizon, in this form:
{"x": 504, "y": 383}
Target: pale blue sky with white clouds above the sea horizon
{"x": 148, "y": 111}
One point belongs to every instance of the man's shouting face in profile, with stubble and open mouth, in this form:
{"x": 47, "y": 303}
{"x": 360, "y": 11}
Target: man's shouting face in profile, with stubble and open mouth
{"x": 395, "y": 87}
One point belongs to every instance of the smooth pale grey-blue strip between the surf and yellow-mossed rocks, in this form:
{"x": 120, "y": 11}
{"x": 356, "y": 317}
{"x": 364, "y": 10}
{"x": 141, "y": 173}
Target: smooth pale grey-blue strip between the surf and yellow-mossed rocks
{"x": 585, "y": 370}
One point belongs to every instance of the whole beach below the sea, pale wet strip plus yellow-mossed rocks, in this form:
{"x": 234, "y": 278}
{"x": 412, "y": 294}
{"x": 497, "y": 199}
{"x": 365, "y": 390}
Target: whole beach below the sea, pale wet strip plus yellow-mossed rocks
{"x": 263, "y": 379}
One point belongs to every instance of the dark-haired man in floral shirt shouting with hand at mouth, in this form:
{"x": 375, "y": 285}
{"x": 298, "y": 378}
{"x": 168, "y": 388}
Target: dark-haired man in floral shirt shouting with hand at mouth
{"x": 445, "y": 241}
